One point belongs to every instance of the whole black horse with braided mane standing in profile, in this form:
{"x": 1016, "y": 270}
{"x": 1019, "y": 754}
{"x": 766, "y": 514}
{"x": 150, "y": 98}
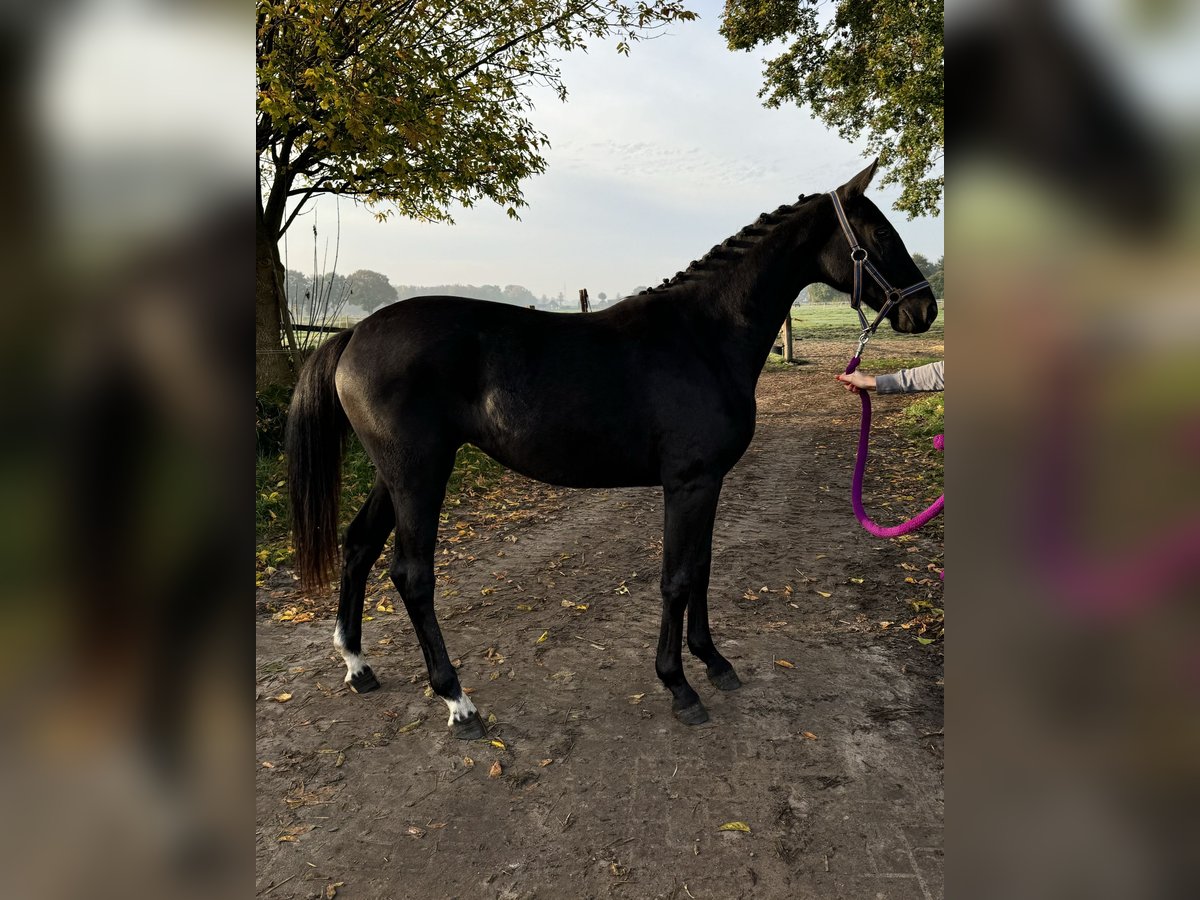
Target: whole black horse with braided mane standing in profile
{"x": 658, "y": 389}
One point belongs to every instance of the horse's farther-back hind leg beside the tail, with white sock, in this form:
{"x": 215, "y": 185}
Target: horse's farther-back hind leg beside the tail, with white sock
{"x": 364, "y": 542}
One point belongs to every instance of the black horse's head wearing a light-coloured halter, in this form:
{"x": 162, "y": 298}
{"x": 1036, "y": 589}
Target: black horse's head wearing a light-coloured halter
{"x": 862, "y": 239}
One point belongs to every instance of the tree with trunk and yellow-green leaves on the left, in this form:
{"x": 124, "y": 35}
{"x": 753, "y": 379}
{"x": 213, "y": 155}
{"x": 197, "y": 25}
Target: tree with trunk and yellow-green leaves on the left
{"x": 410, "y": 106}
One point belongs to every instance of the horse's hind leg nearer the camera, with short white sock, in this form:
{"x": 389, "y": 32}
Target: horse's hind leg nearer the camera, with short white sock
{"x": 418, "y": 502}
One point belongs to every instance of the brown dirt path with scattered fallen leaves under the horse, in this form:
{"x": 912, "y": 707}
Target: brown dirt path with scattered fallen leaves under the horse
{"x": 835, "y": 763}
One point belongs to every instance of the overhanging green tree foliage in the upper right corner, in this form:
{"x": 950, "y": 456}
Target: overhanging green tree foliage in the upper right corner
{"x": 874, "y": 68}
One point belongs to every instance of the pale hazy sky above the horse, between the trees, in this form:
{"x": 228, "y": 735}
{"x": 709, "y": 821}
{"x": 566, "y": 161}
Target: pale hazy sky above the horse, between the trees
{"x": 653, "y": 160}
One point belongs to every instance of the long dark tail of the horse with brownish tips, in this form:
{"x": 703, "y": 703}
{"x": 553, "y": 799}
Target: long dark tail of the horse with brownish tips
{"x": 315, "y": 442}
